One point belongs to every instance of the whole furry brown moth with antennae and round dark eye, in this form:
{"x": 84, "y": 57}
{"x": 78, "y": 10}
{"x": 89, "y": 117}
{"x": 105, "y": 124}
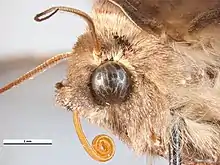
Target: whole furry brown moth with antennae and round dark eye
{"x": 147, "y": 71}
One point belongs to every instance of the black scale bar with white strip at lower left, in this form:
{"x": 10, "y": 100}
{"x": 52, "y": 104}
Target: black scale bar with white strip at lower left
{"x": 27, "y": 142}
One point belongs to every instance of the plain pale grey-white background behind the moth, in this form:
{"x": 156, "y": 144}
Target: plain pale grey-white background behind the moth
{"x": 28, "y": 111}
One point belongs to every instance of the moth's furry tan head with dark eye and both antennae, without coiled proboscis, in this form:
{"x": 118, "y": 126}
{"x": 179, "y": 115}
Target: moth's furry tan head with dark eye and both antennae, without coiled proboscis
{"x": 106, "y": 91}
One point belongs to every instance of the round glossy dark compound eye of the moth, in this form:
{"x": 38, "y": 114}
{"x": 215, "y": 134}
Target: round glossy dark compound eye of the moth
{"x": 111, "y": 83}
